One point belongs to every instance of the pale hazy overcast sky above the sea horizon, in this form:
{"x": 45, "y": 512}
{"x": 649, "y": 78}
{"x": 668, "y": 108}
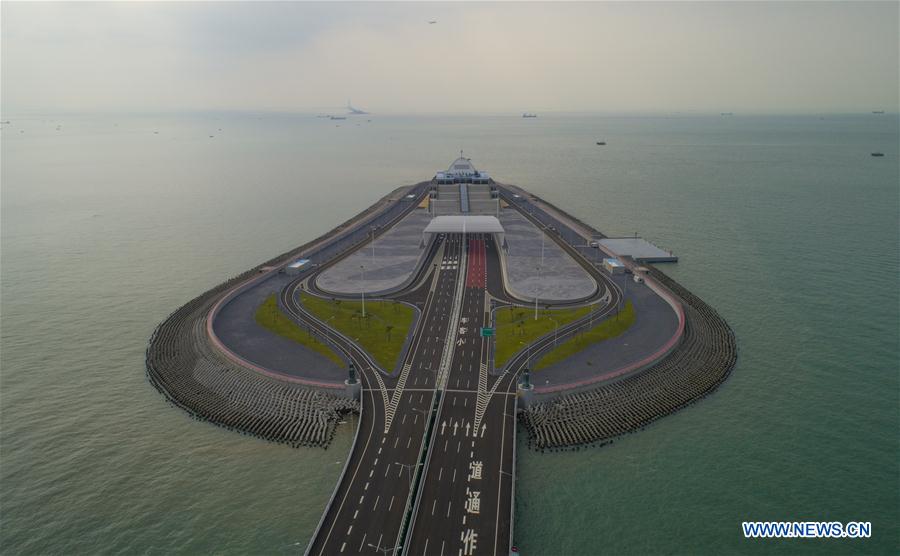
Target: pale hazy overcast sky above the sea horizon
{"x": 499, "y": 57}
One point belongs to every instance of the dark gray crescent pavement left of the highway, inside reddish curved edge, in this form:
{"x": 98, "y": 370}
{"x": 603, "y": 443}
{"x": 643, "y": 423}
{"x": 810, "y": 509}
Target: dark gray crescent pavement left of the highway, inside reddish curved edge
{"x": 237, "y": 328}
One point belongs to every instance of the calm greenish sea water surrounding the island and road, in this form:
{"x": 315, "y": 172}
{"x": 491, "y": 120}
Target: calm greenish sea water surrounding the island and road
{"x": 785, "y": 224}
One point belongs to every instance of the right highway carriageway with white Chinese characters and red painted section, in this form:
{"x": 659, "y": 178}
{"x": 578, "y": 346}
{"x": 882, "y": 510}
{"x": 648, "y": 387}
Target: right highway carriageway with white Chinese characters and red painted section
{"x": 465, "y": 502}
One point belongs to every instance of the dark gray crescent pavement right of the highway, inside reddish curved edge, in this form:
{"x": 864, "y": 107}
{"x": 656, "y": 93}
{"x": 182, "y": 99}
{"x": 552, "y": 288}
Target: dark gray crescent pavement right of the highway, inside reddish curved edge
{"x": 656, "y": 323}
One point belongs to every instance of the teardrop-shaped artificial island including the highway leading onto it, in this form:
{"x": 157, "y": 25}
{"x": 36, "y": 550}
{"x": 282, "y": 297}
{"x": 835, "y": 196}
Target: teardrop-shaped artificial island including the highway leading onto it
{"x": 445, "y": 316}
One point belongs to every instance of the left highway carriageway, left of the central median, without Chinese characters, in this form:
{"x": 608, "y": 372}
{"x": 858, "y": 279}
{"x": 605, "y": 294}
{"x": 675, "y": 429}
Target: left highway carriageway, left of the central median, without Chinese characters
{"x": 369, "y": 508}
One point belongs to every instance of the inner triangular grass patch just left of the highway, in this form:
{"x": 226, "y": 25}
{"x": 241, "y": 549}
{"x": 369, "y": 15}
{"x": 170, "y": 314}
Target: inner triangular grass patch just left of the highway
{"x": 382, "y": 331}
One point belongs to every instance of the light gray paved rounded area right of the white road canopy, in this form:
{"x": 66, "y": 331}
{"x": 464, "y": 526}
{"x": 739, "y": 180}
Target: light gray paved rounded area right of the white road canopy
{"x": 560, "y": 278}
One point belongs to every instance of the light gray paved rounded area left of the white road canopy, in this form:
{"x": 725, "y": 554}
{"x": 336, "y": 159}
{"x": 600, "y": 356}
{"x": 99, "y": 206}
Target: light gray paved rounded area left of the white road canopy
{"x": 396, "y": 254}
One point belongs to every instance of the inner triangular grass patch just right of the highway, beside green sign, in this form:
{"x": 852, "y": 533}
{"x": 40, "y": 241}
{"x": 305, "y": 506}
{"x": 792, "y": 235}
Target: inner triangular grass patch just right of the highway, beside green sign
{"x": 517, "y": 325}
